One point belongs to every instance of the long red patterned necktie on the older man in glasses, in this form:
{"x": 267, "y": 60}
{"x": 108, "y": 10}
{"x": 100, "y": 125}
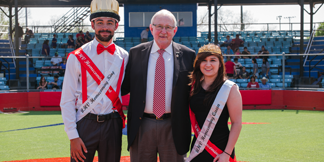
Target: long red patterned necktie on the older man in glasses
{"x": 159, "y": 86}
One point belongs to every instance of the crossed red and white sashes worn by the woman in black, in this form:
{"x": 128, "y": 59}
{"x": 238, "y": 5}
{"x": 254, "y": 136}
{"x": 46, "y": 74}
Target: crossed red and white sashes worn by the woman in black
{"x": 205, "y": 133}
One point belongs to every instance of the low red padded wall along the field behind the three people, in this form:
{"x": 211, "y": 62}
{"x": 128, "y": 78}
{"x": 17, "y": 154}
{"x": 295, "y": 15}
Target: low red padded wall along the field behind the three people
{"x": 252, "y": 99}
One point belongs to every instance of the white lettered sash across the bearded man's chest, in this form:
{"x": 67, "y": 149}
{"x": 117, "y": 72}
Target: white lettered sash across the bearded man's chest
{"x": 111, "y": 77}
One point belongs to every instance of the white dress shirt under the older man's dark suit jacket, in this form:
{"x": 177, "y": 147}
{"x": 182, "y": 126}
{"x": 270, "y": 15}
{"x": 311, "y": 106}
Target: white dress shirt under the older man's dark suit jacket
{"x": 168, "y": 64}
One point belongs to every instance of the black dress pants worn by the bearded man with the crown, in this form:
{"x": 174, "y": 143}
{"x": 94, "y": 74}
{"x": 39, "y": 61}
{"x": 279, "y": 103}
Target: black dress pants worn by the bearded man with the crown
{"x": 104, "y": 137}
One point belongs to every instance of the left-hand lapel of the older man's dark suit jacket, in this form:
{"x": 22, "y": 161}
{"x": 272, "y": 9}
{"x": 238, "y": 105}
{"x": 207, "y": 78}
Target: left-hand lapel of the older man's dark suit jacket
{"x": 145, "y": 55}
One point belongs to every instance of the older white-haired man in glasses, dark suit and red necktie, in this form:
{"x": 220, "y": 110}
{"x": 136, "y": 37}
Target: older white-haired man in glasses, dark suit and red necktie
{"x": 157, "y": 78}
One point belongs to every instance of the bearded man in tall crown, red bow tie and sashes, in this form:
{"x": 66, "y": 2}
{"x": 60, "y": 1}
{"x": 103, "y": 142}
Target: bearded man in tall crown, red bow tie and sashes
{"x": 91, "y": 102}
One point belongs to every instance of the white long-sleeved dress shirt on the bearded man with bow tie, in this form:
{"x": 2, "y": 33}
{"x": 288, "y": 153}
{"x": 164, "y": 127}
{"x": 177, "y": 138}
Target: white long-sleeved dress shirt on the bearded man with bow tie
{"x": 72, "y": 88}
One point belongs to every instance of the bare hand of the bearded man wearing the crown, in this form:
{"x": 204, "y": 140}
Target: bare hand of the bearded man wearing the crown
{"x": 76, "y": 149}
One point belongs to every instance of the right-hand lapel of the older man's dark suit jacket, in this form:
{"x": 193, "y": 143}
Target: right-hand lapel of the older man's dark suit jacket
{"x": 177, "y": 55}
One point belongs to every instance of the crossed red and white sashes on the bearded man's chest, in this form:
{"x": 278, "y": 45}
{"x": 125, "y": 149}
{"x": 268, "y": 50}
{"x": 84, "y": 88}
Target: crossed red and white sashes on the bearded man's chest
{"x": 104, "y": 83}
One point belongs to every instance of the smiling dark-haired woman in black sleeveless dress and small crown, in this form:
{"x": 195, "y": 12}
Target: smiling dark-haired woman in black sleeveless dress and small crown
{"x": 207, "y": 79}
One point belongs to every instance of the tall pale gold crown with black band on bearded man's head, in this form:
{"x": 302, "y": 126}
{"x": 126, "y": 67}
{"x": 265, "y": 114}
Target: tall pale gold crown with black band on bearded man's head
{"x": 104, "y": 8}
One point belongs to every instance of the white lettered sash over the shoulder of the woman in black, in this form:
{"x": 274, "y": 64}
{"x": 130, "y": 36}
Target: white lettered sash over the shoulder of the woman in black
{"x": 211, "y": 120}
